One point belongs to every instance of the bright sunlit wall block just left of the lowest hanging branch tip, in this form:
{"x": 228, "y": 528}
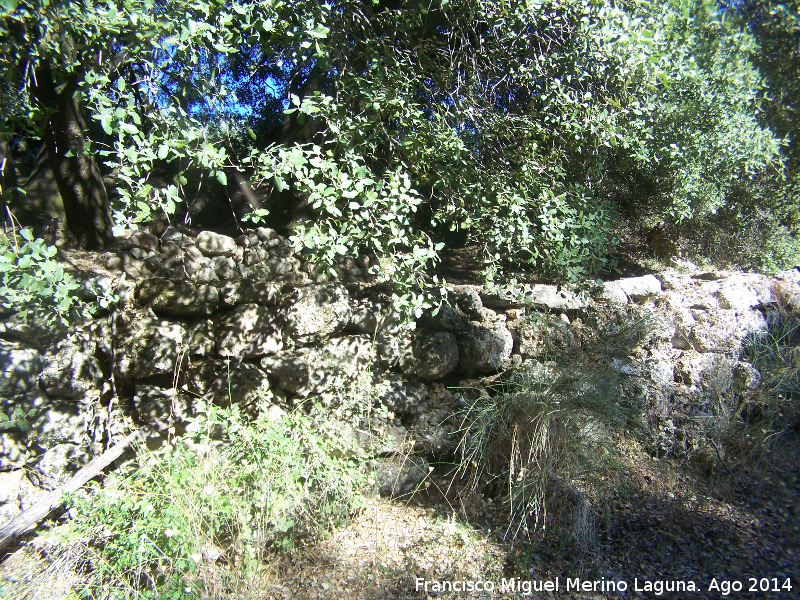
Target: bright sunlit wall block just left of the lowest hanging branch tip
{"x": 318, "y": 312}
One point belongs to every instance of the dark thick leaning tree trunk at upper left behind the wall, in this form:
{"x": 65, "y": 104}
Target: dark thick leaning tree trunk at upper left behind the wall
{"x": 76, "y": 173}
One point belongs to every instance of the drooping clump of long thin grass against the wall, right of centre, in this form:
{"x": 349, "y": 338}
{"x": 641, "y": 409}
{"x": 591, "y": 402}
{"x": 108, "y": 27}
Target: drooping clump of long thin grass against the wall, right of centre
{"x": 543, "y": 440}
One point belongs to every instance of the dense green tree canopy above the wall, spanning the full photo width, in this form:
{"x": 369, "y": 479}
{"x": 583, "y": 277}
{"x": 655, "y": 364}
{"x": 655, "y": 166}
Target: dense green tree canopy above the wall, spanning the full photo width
{"x": 533, "y": 130}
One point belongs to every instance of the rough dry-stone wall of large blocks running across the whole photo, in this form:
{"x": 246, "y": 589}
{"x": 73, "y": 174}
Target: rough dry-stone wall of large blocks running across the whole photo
{"x": 195, "y": 310}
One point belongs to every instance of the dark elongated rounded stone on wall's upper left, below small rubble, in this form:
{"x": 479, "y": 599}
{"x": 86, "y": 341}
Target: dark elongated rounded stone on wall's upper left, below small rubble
{"x": 184, "y": 299}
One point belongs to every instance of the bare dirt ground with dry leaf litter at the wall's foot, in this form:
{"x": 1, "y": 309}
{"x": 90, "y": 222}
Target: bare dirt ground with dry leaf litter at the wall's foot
{"x": 665, "y": 524}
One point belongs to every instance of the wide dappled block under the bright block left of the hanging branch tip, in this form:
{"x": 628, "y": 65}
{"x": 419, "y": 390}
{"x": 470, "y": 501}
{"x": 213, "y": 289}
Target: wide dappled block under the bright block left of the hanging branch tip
{"x": 308, "y": 371}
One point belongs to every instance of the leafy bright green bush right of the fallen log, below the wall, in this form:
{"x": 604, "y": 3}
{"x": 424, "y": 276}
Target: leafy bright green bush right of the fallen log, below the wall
{"x": 225, "y": 492}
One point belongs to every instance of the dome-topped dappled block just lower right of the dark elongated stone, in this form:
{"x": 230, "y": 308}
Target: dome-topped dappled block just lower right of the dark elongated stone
{"x": 248, "y": 330}
